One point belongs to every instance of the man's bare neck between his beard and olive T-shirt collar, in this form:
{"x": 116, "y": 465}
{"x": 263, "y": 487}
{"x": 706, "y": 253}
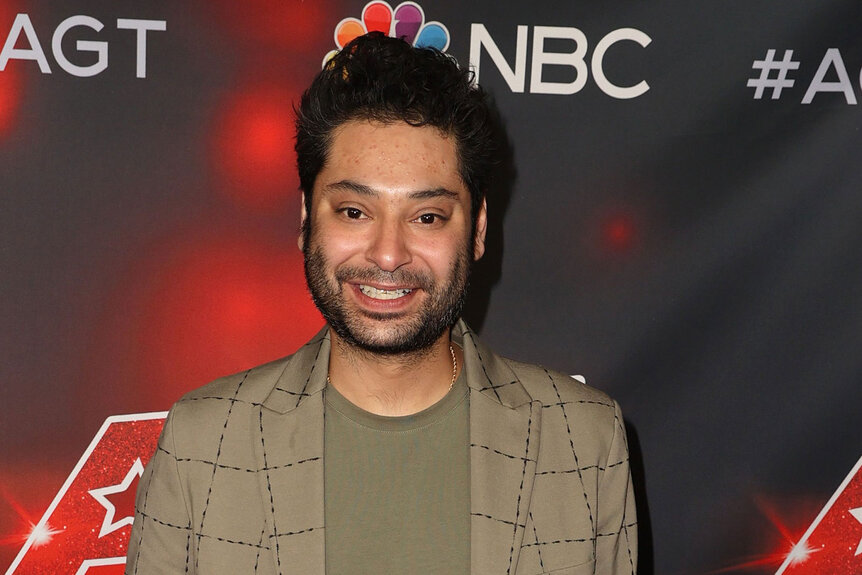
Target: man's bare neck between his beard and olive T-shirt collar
{"x": 392, "y": 385}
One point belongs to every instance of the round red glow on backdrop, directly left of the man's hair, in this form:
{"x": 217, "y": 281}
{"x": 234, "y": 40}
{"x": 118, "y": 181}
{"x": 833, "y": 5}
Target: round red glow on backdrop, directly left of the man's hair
{"x": 254, "y": 148}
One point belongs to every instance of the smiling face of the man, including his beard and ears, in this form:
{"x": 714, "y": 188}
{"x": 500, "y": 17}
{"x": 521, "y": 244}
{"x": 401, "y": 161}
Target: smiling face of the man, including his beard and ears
{"x": 388, "y": 255}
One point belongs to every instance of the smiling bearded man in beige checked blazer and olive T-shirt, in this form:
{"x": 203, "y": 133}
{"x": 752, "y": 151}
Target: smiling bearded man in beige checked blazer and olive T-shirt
{"x": 393, "y": 441}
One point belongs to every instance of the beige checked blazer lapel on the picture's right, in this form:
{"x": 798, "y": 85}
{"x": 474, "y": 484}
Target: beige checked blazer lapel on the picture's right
{"x": 504, "y": 446}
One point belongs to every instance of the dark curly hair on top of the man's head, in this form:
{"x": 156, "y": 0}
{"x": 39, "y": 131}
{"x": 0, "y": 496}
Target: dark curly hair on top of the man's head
{"x": 387, "y": 80}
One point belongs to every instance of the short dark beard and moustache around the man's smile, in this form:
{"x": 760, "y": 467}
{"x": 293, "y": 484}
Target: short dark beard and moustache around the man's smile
{"x": 396, "y": 333}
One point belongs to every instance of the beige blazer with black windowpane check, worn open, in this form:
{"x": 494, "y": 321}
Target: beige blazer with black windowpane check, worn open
{"x": 236, "y": 484}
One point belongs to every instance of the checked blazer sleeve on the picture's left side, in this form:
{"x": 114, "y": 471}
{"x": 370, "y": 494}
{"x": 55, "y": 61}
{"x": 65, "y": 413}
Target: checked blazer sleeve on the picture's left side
{"x": 161, "y": 537}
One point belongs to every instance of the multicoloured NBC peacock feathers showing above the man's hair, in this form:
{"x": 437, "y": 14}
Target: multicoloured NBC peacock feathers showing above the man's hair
{"x": 406, "y": 21}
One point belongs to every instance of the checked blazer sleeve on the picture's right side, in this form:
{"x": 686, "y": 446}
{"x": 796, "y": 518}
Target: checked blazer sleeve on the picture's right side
{"x": 616, "y": 542}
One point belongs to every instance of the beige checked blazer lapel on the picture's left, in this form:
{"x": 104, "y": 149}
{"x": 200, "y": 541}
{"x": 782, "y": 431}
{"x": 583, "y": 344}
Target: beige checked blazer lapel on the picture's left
{"x": 288, "y": 432}
